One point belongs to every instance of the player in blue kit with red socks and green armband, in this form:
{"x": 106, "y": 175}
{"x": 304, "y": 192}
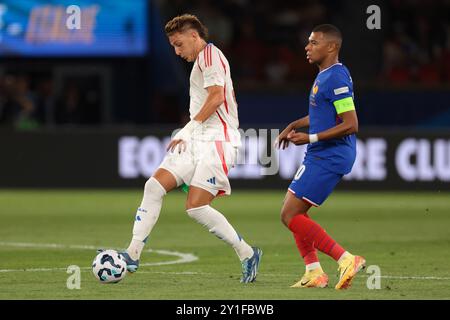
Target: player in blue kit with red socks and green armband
{"x": 330, "y": 154}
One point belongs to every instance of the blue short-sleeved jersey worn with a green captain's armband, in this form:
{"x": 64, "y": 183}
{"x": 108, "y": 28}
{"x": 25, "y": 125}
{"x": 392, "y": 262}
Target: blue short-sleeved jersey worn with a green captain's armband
{"x": 331, "y": 94}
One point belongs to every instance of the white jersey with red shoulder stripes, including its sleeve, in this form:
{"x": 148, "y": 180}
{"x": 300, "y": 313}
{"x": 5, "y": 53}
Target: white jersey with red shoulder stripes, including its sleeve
{"x": 212, "y": 68}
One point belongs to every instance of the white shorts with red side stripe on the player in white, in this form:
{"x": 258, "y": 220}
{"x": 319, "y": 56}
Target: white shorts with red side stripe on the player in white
{"x": 204, "y": 164}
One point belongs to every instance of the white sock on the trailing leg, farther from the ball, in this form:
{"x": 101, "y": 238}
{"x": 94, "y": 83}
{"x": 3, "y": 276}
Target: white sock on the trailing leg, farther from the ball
{"x": 218, "y": 225}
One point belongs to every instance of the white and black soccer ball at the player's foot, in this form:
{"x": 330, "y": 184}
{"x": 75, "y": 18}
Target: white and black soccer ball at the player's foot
{"x": 109, "y": 266}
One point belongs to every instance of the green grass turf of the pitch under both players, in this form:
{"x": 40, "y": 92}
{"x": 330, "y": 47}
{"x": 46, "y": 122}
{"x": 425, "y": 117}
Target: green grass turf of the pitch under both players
{"x": 405, "y": 234}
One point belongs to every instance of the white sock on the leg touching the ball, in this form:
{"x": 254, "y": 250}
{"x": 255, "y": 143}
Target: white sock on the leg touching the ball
{"x": 146, "y": 216}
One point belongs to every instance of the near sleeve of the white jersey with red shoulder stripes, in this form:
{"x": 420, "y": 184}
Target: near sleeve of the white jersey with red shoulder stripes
{"x": 213, "y": 67}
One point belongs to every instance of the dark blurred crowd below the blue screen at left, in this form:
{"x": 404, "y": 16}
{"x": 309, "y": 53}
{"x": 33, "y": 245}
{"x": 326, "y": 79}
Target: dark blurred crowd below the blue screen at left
{"x": 27, "y": 102}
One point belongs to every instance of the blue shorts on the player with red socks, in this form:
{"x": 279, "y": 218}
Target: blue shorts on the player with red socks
{"x": 313, "y": 184}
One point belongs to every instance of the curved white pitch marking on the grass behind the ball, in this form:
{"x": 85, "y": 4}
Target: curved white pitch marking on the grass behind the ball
{"x": 183, "y": 257}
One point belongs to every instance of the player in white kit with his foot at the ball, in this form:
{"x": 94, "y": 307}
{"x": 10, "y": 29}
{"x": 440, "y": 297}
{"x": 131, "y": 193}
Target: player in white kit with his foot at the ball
{"x": 200, "y": 154}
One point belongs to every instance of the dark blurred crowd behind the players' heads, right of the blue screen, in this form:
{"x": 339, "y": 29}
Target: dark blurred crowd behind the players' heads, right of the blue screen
{"x": 265, "y": 39}
